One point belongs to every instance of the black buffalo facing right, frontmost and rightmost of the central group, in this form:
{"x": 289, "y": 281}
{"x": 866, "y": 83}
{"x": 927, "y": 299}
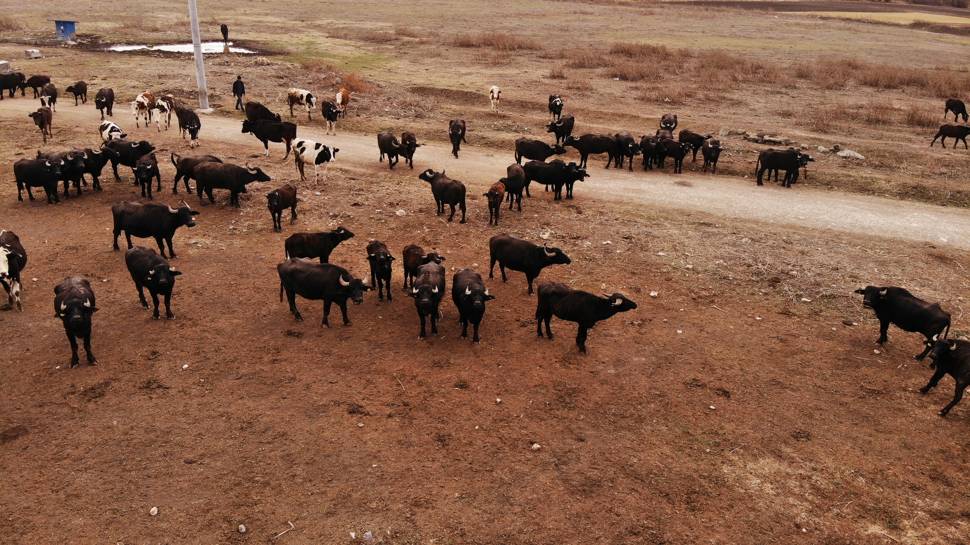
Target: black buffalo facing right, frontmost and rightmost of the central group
{"x": 582, "y": 307}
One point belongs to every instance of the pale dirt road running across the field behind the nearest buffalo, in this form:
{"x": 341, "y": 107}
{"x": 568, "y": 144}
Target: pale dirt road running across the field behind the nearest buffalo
{"x": 729, "y": 197}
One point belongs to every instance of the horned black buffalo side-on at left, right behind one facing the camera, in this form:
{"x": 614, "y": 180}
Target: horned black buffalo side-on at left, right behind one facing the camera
{"x": 150, "y": 220}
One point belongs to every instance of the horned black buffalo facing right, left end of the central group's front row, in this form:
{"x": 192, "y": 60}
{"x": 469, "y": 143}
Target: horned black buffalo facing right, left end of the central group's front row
{"x": 319, "y": 281}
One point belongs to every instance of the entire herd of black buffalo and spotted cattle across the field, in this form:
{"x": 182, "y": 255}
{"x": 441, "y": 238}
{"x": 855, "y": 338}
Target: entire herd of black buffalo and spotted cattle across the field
{"x": 424, "y": 276}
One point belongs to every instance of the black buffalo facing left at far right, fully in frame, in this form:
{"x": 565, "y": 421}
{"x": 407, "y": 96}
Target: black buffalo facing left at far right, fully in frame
{"x": 898, "y": 306}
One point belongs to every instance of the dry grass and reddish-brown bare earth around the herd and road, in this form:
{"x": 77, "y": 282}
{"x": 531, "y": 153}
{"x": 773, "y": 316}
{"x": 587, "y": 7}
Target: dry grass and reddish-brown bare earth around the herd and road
{"x": 745, "y": 404}
